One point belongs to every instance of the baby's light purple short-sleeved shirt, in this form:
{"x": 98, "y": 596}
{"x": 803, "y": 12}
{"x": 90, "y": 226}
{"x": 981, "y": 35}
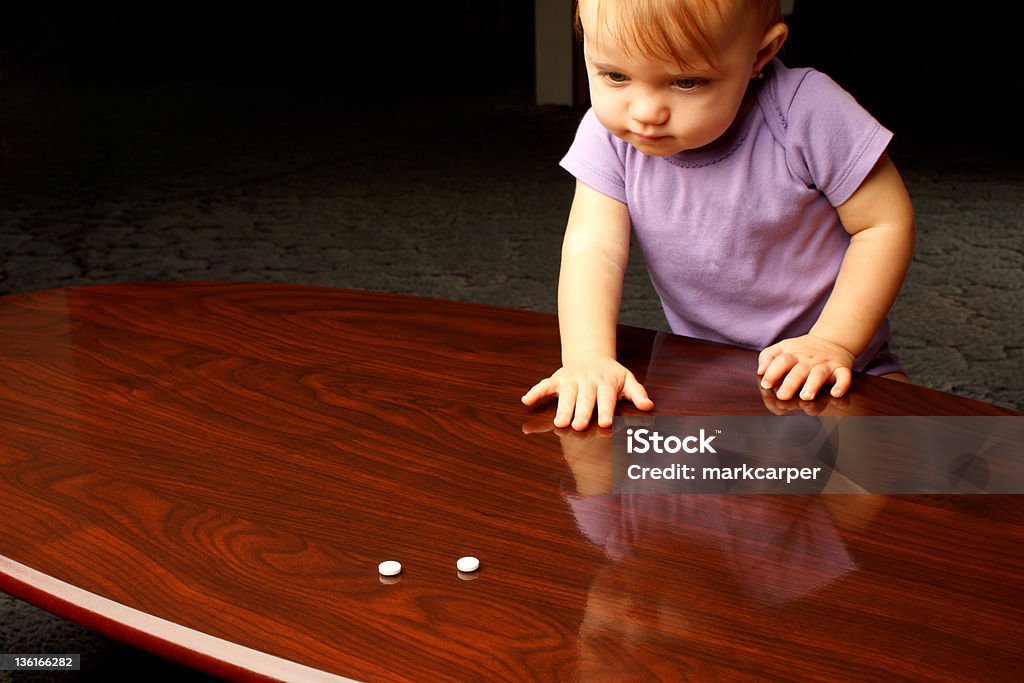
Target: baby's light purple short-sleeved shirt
{"x": 742, "y": 239}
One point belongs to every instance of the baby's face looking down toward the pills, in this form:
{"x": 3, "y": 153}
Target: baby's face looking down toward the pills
{"x": 660, "y": 108}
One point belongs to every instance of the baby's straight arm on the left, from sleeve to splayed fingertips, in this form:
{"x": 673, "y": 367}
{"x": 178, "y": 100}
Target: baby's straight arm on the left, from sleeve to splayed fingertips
{"x": 590, "y": 288}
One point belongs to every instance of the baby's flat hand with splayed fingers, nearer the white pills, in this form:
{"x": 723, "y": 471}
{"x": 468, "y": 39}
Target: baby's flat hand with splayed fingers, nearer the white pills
{"x": 591, "y": 380}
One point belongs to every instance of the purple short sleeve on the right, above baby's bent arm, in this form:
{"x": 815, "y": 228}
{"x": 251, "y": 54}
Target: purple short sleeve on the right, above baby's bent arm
{"x": 832, "y": 142}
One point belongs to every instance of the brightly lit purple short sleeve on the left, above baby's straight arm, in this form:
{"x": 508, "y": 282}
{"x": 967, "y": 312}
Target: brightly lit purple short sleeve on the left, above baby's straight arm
{"x": 596, "y": 159}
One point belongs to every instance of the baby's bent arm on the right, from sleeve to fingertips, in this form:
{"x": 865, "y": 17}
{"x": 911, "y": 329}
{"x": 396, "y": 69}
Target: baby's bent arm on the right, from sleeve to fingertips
{"x": 880, "y": 219}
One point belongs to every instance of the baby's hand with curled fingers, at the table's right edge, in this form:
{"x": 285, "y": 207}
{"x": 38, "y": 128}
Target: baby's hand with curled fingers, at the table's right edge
{"x": 806, "y": 362}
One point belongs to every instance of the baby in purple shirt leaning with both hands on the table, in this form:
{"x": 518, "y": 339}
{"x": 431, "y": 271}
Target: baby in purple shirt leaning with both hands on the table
{"x": 767, "y": 211}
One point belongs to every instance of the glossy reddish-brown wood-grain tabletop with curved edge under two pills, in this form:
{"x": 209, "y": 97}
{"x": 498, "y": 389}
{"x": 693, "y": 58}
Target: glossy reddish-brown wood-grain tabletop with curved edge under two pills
{"x": 214, "y": 472}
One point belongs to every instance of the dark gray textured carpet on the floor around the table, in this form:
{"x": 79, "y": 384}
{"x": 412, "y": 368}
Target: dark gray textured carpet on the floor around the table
{"x": 460, "y": 198}
